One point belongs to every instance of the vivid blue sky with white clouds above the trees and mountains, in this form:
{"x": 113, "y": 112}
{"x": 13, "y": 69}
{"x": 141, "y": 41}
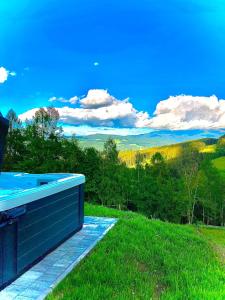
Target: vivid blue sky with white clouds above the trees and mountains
{"x": 134, "y": 65}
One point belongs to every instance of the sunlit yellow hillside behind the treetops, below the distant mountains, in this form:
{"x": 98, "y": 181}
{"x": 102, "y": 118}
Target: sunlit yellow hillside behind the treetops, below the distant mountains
{"x": 206, "y": 145}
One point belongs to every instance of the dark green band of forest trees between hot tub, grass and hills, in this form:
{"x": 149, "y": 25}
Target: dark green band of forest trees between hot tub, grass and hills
{"x": 183, "y": 189}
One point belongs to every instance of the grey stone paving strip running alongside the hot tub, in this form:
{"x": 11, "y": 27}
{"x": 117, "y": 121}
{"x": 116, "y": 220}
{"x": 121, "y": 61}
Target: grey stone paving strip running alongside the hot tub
{"x": 39, "y": 281}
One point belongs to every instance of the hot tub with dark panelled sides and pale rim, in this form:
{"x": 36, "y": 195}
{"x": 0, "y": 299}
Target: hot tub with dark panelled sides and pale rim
{"x": 37, "y": 213}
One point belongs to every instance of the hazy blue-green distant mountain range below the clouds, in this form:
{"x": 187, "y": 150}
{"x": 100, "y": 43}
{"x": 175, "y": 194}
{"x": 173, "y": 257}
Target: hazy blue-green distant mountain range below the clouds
{"x": 152, "y": 139}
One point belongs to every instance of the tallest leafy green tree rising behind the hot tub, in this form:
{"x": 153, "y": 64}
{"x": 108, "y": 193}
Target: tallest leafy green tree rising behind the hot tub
{"x": 43, "y": 142}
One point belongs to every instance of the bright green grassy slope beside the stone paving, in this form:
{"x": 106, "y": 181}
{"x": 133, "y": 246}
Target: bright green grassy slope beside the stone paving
{"x": 145, "y": 259}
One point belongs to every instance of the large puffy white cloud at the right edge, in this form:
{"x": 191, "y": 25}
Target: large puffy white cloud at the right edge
{"x": 189, "y": 112}
